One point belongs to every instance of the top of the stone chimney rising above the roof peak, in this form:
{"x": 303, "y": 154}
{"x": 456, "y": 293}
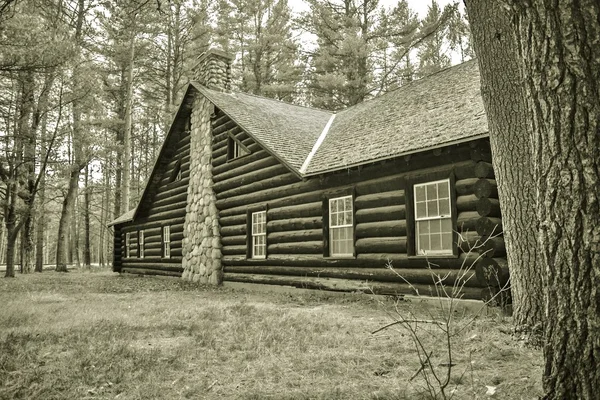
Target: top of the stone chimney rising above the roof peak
{"x": 213, "y": 70}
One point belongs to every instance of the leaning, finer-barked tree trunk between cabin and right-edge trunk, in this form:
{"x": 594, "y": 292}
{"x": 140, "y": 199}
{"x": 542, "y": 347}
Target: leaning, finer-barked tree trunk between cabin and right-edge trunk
{"x": 510, "y": 138}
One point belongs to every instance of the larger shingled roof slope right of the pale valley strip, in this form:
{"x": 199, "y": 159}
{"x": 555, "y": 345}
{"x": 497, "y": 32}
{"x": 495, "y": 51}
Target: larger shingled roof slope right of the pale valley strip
{"x": 441, "y": 109}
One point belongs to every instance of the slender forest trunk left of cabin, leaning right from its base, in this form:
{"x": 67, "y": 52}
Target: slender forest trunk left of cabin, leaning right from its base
{"x": 62, "y": 247}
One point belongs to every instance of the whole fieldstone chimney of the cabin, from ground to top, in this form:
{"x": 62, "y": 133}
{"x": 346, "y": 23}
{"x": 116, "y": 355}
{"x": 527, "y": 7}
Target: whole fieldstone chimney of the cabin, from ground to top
{"x": 201, "y": 233}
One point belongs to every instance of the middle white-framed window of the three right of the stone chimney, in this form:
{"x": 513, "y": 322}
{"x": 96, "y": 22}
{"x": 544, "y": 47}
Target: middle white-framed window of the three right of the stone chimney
{"x": 341, "y": 226}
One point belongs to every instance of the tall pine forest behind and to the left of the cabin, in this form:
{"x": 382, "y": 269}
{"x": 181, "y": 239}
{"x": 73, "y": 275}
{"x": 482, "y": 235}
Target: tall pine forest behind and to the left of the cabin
{"x": 88, "y": 89}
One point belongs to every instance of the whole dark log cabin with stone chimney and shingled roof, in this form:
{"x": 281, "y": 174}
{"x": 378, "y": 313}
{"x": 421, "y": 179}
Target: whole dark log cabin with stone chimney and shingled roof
{"x": 383, "y": 196}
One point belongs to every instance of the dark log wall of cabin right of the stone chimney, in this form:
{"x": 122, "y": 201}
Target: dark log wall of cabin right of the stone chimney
{"x": 383, "y": 219}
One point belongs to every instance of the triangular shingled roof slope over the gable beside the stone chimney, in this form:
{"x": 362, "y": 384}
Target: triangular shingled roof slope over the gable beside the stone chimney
{"x": 288, "y": 130}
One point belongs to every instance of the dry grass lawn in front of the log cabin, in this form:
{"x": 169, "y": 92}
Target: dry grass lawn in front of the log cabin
{"x": 98, "y": 335}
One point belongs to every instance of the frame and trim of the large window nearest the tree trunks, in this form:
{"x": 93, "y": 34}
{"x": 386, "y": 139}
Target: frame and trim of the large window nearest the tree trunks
{"x": 414, "y": 240}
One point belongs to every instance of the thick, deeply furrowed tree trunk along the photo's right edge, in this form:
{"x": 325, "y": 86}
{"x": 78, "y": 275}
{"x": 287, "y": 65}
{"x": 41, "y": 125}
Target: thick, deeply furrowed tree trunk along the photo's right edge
{"x": 561, "y": 61}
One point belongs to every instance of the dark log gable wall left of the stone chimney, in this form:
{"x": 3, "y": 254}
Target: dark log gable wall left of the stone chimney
{"x": 167, "y": 206}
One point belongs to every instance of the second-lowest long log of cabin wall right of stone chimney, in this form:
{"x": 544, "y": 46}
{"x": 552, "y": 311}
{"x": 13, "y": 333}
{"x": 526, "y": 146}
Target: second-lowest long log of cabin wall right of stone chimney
{"x": 412, "y": 275}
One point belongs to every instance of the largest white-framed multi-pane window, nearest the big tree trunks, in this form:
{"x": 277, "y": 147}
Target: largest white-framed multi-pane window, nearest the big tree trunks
{"x": 433, "y": 218}
